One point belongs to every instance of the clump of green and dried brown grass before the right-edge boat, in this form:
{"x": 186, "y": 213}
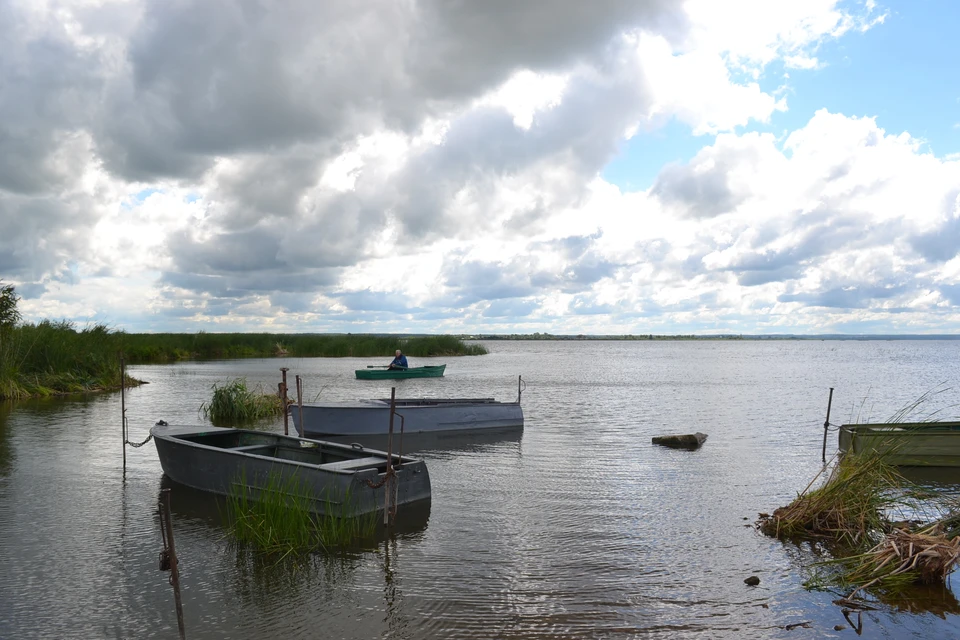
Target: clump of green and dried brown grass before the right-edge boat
{"x": 887, "y": 534}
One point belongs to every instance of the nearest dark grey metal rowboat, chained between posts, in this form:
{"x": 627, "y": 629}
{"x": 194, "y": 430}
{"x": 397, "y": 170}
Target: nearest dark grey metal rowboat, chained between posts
{"x": 331, "y": 474}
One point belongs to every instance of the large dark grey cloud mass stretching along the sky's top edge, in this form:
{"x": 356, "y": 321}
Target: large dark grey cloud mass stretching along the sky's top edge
{"x": 232, "y": 76}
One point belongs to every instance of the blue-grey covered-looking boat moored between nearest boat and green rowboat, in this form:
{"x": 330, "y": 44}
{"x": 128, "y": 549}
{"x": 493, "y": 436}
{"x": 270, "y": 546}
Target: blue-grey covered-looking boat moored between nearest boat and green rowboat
{"x": 372, "y": 417}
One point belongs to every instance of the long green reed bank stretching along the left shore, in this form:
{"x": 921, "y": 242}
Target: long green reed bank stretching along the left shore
{"x": 54, "y": 357}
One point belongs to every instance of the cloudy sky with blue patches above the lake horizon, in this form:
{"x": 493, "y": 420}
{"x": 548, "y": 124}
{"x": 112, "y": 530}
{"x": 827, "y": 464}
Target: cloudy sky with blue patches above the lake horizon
{"x": 443, "y": 166}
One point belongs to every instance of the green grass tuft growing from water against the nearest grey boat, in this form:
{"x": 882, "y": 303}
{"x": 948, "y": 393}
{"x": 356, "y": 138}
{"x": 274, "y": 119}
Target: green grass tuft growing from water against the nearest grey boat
{"x": 278, "y": 518}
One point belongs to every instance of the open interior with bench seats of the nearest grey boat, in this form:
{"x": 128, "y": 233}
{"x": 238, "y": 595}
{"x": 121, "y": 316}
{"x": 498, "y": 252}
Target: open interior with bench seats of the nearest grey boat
{"x": 331, "y": 457}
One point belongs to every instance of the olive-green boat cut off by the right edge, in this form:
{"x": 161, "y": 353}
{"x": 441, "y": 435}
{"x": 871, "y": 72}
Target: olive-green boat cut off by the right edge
{"x": 920, "y": 444}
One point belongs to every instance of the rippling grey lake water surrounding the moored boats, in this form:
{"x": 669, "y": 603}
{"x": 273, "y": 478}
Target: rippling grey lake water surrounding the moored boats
{"x": 577, "y": 528}
